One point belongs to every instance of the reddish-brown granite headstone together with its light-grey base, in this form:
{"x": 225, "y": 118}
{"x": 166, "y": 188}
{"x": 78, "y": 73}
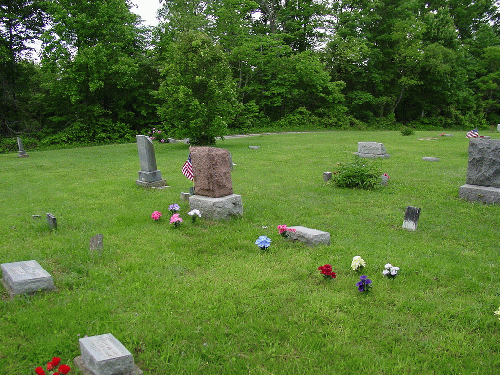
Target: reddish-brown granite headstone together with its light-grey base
{"x": 213, "y": 188}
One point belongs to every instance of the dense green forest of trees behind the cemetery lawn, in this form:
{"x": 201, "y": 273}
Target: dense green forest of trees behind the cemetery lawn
{"x": 78, "y": 72}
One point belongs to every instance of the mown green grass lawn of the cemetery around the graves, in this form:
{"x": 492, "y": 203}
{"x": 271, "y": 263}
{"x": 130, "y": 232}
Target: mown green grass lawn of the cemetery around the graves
{"x": 203, "y": 298}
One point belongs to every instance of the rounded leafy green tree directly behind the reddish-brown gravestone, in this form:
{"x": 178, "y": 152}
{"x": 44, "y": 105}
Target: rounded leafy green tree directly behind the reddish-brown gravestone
{"x": 197, "y": 92}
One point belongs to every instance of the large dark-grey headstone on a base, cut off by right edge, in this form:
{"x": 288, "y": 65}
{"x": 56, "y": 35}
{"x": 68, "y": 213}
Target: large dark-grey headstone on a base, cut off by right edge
{"x": 483, "y": 171}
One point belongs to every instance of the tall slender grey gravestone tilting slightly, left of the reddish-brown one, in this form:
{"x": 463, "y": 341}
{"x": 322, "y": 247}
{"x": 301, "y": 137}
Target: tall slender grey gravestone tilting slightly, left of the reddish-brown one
{"x": 149, "y": 175}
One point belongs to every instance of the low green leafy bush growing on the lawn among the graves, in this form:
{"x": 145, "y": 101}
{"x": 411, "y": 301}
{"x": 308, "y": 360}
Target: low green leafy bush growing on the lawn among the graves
{"x": 362, "y": 173}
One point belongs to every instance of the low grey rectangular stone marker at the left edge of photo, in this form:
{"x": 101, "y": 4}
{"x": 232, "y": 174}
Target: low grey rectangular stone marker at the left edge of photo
{"x": 25, "y": 277}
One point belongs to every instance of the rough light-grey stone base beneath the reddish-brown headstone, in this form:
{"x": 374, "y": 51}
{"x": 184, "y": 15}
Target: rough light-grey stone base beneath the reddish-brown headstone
{"x": 222, "y": 208}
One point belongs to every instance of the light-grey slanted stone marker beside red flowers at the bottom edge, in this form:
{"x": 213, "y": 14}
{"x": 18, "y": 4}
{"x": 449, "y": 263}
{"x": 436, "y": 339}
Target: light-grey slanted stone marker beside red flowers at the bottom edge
{"x": 105, "y": 355}
